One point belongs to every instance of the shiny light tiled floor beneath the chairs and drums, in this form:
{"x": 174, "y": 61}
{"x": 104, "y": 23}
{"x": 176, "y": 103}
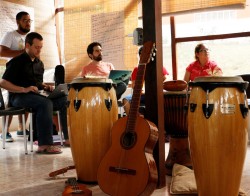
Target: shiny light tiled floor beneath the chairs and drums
{"x": 27, "y": 175}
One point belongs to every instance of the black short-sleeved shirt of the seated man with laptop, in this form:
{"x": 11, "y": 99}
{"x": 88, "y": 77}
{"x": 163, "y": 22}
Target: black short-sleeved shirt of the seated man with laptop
{"x": 21, "y": 71}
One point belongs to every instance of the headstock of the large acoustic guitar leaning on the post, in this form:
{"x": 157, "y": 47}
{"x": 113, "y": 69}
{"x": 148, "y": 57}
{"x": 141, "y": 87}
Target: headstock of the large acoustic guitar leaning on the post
{"x": 148, "y": 51}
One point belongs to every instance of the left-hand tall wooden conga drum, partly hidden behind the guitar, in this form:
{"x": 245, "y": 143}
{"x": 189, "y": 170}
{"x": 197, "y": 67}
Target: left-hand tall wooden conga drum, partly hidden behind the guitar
{"x": 92, "y": 110}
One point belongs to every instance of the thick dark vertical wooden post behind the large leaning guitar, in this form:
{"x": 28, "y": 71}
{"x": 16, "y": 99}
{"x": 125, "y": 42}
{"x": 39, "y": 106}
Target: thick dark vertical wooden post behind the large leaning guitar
{"x": 152, "y": 31}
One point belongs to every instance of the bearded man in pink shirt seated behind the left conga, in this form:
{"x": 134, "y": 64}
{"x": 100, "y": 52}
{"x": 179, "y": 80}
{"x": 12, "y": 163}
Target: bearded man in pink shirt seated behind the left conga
{"x": 99, "y": 68}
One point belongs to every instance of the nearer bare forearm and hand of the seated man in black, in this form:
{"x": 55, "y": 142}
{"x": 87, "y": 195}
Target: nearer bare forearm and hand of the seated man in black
{"x": 16, "y": 89}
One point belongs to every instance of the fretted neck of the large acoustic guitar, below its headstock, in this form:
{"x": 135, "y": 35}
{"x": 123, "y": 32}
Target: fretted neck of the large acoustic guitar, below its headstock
{"x": 136, "y": 97}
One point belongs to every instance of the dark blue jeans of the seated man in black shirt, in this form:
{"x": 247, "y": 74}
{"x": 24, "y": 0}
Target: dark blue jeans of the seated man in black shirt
{"x": 43, "y": 109}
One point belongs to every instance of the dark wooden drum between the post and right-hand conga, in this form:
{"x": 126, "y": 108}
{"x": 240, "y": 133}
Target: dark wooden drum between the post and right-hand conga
{"x": 176, "y": 126}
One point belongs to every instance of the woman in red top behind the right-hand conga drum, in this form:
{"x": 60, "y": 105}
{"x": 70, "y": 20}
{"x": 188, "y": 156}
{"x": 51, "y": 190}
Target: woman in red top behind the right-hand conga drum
{"x": 202, "y": 66}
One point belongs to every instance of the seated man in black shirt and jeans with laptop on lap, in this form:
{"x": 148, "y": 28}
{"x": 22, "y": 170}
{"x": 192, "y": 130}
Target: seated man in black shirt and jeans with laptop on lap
{"x": 23, "y": 78}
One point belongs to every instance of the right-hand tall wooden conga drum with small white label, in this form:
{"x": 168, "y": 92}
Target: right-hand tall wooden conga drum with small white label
{"x": 217, "y": 132}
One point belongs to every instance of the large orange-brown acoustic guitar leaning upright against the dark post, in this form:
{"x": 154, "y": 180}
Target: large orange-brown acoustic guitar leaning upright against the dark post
{"x": 128, "y": 167}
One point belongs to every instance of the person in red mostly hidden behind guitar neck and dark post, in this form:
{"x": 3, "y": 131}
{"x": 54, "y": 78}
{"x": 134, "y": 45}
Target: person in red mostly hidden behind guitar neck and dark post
{"x": 126, "y": 100}
